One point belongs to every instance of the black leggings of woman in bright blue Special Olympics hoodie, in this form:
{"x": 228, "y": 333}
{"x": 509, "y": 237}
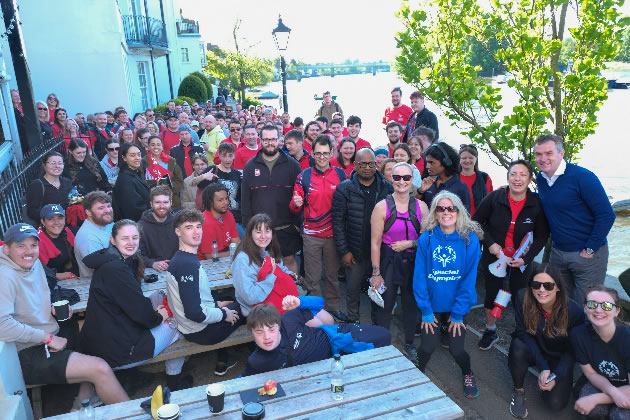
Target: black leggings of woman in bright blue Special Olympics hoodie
{"x": 456, "y": 345}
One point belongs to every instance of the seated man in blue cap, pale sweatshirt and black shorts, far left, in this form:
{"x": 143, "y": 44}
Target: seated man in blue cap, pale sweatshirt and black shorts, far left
{"x": 26, "y": 318}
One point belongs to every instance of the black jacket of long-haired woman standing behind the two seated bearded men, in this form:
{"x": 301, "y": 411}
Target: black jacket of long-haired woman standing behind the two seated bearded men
{"x": 131, "y": 195}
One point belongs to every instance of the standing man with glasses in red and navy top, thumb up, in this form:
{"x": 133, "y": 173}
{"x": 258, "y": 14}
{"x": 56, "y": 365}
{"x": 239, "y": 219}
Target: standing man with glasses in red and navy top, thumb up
{"x": 313, "y": 193}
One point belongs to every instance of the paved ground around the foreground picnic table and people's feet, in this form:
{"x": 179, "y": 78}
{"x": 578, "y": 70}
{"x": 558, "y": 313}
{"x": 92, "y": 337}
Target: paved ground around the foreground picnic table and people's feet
{"x": 490, "y": 368}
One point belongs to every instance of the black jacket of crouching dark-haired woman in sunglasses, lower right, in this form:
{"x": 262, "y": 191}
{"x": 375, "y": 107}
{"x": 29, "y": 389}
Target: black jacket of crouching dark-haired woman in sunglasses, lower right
{"x": 546, "y": 350}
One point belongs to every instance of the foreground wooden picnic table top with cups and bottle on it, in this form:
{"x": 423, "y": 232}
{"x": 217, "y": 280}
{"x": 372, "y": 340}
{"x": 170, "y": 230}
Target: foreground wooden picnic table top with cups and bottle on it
{"x": 379, "y": 383}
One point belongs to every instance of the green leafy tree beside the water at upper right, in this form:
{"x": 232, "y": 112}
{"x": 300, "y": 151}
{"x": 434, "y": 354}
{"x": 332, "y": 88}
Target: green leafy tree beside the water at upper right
{"x": 433, "y": 57}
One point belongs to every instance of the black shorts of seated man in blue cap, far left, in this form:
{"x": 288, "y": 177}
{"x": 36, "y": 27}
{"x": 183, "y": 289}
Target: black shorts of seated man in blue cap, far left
{"x": 39, "y": 369}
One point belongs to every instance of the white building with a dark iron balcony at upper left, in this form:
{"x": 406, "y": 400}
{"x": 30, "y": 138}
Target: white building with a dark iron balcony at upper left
{"x": 96, "y": 55}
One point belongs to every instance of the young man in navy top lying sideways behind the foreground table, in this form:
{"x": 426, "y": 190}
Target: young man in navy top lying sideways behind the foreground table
{"x": 304, "y": 334}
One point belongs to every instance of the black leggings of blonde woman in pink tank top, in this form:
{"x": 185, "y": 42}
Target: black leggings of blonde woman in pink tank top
{"x": 409, "y": 307}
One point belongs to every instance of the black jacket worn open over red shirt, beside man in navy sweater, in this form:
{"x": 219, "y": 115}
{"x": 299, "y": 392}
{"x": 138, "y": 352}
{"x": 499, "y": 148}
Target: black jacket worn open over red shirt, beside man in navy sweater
{"x": 495, "y": 216}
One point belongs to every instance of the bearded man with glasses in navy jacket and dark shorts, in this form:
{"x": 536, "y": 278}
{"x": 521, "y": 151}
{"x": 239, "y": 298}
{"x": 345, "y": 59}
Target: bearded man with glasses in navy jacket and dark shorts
{"x": 268, "y": 181}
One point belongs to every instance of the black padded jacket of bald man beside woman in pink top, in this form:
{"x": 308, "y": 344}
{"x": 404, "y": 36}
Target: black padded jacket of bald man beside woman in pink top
{"x": 351, "y": 215}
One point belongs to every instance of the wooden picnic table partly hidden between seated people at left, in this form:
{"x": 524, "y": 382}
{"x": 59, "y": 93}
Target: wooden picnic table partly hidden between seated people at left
{"x": 214, "y": 271}
